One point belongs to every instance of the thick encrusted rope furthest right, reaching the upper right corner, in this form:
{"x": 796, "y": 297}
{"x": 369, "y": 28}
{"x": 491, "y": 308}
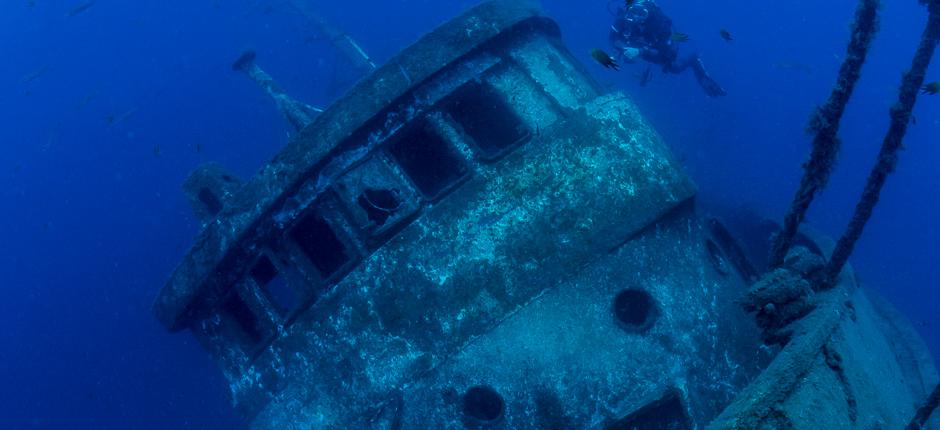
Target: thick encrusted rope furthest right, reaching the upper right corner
{"x": 888, "y": 156}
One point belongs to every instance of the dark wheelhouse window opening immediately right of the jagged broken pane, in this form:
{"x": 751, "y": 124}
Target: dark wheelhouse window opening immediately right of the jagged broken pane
{"x": 427, "y": 159}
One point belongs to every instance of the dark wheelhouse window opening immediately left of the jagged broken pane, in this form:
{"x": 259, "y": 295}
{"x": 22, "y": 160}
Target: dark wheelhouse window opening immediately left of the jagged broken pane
{"x": 320, "y": 244}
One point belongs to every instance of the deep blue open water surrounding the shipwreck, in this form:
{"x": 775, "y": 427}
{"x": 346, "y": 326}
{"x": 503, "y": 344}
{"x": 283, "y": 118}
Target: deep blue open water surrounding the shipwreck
{"x": 94, "y": 220}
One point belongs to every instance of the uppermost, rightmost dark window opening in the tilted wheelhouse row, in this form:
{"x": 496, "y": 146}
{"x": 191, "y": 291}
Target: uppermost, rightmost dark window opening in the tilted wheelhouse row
{"x": 486, "y": 117}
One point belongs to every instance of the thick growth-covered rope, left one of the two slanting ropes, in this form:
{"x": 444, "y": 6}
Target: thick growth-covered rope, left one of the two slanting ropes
{"x": 825, "y": 123}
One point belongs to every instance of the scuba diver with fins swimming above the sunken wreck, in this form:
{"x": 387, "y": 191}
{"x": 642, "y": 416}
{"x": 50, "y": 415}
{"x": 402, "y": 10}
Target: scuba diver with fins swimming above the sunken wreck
{"x": 642, "y": 30}
